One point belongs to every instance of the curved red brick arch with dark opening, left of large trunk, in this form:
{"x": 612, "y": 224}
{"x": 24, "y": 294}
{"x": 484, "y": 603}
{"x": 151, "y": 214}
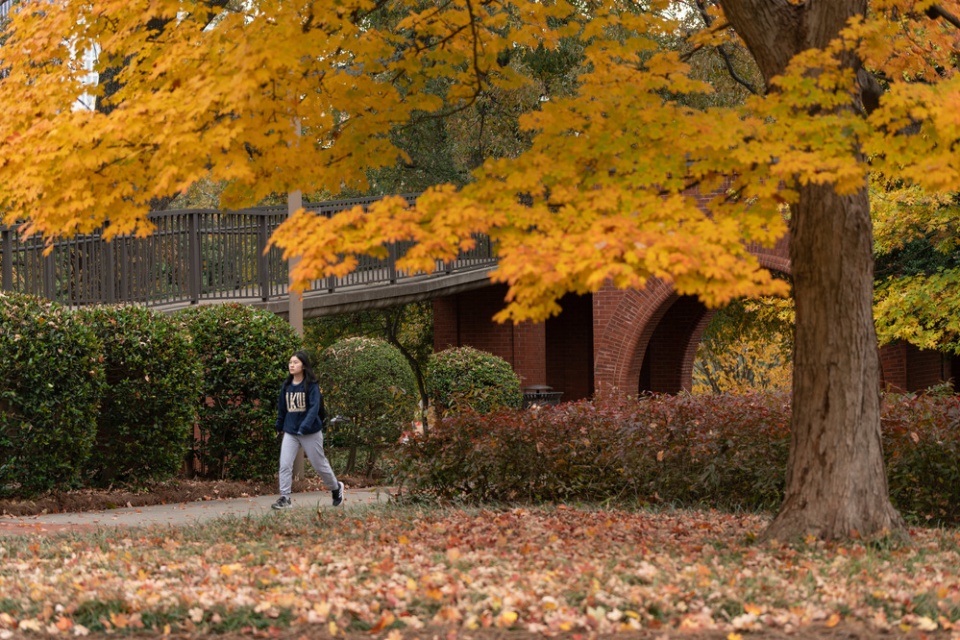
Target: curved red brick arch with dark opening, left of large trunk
{"x": 630, "y": 324}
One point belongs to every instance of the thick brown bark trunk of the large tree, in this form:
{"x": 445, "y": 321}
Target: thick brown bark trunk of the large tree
{"x": 836, "y": 482}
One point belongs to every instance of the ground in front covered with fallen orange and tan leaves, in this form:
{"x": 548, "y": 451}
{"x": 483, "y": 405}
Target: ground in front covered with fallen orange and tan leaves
{"x": 417, "y": 572}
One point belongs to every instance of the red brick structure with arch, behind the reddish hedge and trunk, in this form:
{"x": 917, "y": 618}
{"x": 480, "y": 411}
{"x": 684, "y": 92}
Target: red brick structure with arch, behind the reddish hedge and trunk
{"x": 632, "y": 341}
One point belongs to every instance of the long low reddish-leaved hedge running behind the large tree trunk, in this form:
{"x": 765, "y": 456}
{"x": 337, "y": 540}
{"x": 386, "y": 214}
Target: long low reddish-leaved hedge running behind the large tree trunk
{"x": 724, "y": 451}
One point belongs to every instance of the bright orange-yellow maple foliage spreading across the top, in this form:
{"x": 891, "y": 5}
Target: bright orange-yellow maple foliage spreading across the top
{"x": 605, "y": 193}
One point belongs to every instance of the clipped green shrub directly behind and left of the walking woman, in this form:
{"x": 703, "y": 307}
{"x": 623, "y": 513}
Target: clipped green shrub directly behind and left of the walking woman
{"x": 244, "y": 353}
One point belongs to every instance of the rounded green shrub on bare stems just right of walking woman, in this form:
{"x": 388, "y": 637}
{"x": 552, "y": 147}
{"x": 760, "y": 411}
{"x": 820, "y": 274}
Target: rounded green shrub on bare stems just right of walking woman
{"x": 370, "y": 387}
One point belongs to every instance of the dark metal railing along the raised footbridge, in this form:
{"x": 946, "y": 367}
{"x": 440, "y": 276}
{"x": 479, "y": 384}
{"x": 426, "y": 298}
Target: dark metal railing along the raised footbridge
{"x": 193, "y": 256}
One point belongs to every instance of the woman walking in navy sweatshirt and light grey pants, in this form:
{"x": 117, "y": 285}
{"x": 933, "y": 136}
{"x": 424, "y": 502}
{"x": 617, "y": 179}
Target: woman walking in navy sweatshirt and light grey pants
{"x": 300, "y": 416}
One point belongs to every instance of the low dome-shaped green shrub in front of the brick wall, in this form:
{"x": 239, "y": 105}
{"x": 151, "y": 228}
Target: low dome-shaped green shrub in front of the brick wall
{"x": 464, "y": 378}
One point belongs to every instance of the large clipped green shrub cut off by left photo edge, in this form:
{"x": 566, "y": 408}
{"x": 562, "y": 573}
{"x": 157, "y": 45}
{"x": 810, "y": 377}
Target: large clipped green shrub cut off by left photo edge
{"x": 50, "y": 387}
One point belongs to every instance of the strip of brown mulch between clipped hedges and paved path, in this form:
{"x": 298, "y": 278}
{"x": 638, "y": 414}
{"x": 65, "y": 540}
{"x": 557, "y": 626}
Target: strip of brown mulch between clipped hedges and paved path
{"x": 170, "y": 492}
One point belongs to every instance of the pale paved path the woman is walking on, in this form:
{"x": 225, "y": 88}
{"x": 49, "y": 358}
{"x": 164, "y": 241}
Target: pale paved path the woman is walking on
{"x": 178, "y": 514}
